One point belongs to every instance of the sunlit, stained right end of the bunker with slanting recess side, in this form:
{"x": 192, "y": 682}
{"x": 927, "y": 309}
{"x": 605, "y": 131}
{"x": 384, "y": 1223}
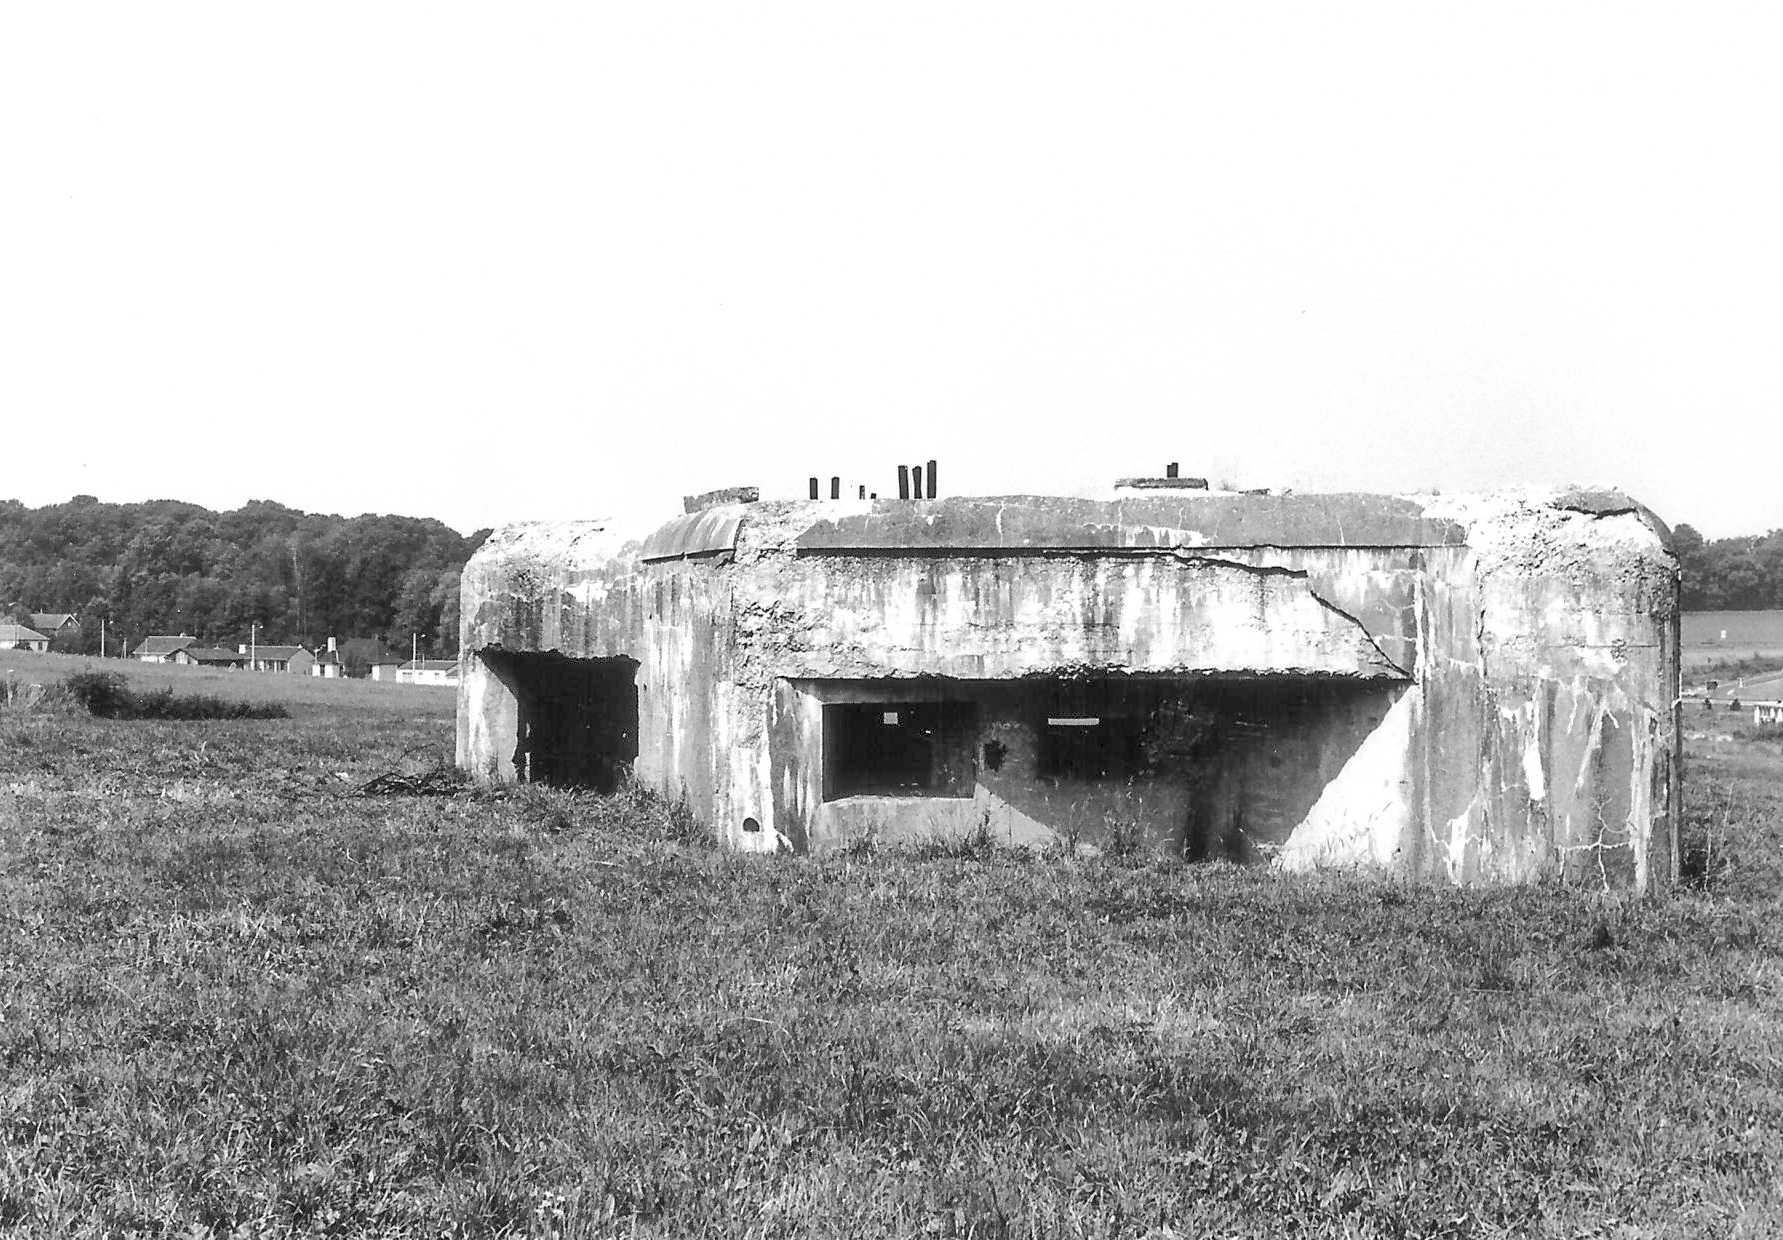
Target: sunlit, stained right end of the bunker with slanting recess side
{"x": 1541, "y": 740}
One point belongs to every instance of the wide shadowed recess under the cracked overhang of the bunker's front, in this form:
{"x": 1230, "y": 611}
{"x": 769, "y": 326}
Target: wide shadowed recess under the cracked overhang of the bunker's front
{"x": 1222, "y": 766}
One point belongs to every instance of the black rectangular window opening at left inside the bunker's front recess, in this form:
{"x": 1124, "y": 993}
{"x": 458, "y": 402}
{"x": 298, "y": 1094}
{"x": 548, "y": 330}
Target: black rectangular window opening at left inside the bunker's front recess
{"x": 900, "y": 748}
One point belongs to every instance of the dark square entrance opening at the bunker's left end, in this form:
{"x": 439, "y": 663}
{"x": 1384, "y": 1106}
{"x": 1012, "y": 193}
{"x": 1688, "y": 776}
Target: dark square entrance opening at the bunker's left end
{"x": 577, "y": 720}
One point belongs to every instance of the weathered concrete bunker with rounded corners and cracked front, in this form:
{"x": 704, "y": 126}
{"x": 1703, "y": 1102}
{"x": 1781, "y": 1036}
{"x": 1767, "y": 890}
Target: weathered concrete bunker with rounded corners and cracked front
{"x": 1481, "y": 690}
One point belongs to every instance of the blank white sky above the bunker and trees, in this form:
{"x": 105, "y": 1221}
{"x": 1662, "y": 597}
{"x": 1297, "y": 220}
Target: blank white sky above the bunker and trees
{"x": 548, "y": 261}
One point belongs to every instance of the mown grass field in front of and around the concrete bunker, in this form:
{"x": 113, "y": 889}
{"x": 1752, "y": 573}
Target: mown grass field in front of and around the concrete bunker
{"x": 240, "y": 1000}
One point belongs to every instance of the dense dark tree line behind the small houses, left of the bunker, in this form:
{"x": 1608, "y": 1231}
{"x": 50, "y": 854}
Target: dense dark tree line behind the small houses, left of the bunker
{"x": 290, "y": 577}
